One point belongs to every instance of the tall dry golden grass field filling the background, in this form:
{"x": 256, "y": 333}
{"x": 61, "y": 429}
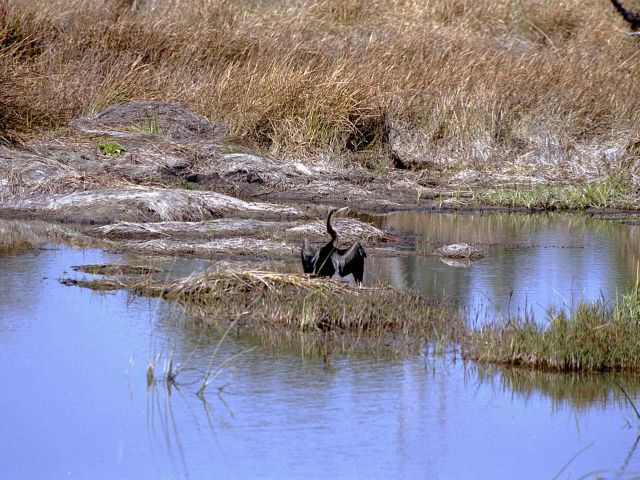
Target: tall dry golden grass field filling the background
{"x": 451, "y": 81}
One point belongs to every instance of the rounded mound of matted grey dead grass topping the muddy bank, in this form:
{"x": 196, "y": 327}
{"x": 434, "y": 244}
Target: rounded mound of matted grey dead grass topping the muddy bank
{"x": 150, "y": 118}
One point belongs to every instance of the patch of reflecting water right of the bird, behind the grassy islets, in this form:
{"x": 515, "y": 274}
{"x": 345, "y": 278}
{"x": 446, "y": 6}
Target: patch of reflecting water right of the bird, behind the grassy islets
{"x": 532, "y": 262}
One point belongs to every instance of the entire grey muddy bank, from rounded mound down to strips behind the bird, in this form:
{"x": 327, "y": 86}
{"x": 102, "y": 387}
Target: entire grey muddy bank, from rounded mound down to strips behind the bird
{"x": 154, "y": 178}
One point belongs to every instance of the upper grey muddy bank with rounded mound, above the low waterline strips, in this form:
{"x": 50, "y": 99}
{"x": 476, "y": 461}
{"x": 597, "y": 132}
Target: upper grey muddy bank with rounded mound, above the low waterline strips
{"x": 157, "y": 161}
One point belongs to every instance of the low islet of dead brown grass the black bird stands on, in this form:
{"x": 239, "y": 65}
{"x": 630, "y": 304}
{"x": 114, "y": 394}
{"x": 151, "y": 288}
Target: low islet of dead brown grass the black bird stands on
{"x": 268, "y": 302}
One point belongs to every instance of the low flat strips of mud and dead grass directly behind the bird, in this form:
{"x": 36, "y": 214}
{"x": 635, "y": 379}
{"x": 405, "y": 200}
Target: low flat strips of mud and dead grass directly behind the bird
{"x": 222, "y": 240}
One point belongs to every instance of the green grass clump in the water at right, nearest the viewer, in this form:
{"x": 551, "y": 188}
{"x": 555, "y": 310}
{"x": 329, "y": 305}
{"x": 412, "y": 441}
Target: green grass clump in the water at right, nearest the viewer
{"x": 594, "y": 337}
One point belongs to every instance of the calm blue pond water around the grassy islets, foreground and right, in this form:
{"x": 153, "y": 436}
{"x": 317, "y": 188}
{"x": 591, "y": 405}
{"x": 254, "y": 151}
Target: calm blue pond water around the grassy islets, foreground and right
{"x": 77, "y": 401}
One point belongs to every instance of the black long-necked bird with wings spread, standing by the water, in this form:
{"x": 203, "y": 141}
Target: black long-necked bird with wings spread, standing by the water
{"x": 329, "y": 259}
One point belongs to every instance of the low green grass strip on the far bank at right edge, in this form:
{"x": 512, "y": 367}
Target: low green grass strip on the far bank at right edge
{"x": 612, "y": 191}
